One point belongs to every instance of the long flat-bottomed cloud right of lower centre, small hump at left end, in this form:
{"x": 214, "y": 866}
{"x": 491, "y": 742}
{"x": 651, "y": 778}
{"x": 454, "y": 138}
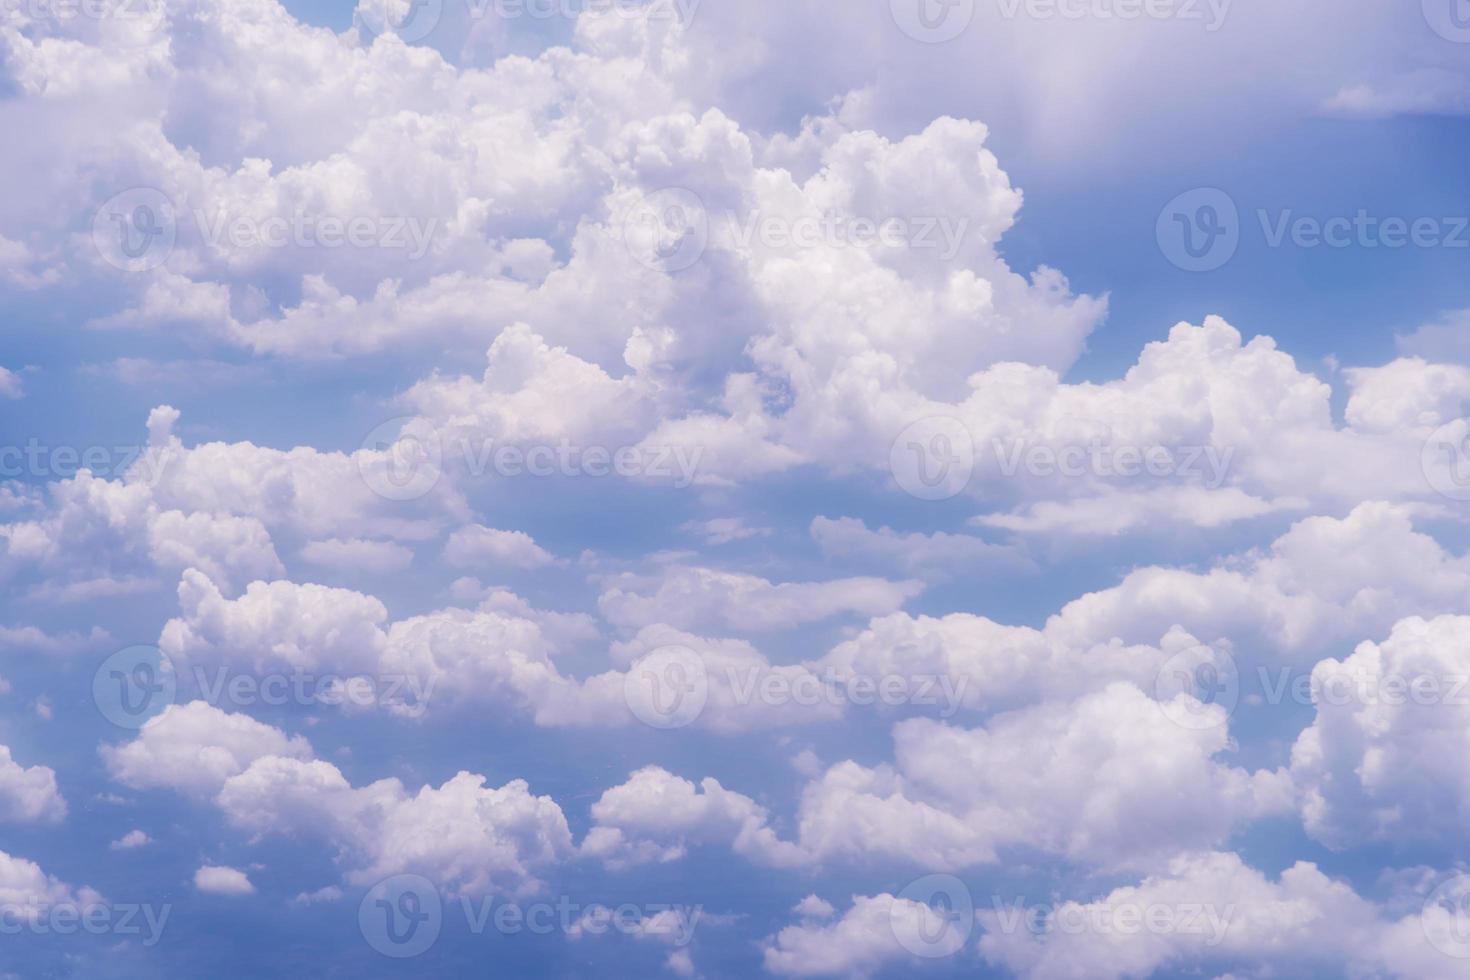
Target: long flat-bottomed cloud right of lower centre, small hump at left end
{"x": 1099, "y": 788}
